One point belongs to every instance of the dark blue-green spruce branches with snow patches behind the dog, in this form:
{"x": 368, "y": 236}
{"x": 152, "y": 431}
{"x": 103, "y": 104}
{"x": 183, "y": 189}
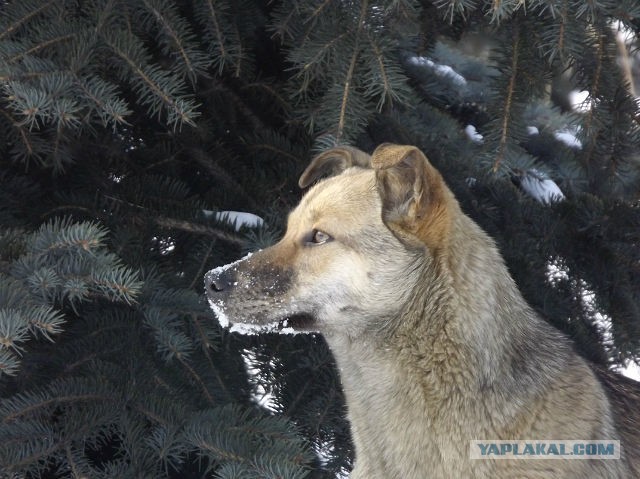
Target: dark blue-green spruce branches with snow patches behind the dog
{"x": 127, "y": 125}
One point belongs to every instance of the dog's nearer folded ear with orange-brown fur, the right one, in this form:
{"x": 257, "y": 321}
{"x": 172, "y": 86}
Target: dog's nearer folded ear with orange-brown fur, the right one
{"x": 414, "y": 196}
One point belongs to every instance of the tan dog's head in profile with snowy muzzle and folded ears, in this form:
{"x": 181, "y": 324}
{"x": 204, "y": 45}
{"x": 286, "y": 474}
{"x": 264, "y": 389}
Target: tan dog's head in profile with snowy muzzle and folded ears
{"x": 353, "y": 246}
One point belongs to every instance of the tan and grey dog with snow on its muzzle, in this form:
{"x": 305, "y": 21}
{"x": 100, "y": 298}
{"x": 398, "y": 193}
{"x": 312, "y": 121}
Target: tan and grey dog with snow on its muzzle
{"x": 435, "y": 345}
